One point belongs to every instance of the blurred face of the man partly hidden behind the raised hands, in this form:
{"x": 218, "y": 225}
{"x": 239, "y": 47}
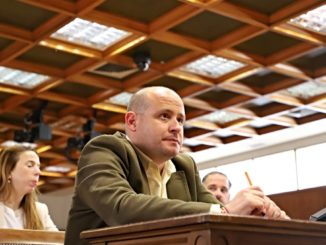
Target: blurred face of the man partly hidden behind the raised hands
{"x": 219, "y": 185}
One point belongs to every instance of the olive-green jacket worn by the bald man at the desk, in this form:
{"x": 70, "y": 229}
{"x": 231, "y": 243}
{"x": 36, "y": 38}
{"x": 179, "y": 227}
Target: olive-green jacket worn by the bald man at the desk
{"x": 111, "y": 188}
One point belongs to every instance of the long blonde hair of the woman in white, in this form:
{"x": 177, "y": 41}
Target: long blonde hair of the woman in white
{"x": 8, "y": 160}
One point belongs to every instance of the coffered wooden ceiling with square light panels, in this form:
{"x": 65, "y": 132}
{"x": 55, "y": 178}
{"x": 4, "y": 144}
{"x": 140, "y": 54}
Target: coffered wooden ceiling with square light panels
{"x": 243, "y": 68}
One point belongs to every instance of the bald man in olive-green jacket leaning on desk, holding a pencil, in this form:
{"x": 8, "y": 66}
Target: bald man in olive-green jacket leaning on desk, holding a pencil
{"x": 142, "y": 175}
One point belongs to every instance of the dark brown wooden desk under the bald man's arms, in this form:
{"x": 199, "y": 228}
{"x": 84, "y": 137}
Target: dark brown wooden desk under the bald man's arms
{"x": 211, "y": 230}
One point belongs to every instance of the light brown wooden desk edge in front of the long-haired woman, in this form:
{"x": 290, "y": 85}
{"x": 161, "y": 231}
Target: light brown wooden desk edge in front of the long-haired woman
{"x": 22, "y": 237}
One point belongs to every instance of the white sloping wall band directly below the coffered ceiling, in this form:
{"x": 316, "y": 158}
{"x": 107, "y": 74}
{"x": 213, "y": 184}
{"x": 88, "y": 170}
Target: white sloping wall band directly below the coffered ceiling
{"x": 282, "y": 140}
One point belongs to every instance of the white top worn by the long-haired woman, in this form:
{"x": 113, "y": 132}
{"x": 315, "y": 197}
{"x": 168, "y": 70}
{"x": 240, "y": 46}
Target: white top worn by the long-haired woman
{"x": 14, "y": 219}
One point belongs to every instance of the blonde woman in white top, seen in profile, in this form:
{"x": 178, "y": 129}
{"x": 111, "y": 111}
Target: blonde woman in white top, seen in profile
{"x": 19, "y": 174}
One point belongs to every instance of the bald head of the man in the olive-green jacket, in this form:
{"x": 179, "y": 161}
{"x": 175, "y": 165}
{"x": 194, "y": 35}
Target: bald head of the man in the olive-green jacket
{"x": 154, "y": 122}
